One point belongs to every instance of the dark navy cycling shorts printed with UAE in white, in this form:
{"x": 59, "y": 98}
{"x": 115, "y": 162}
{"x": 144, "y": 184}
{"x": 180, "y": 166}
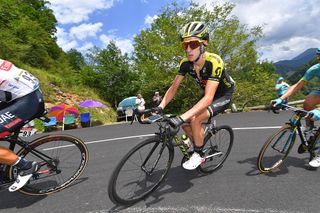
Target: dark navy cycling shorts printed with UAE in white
{"x": 17, "y": 113}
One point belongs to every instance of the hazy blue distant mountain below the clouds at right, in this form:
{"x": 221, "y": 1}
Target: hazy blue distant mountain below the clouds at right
{"x": 288, "y": 67}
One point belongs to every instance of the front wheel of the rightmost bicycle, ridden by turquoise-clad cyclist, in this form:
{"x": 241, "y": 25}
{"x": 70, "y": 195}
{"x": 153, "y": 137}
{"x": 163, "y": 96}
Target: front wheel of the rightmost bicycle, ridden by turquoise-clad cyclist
{"x": 276, "y": 149}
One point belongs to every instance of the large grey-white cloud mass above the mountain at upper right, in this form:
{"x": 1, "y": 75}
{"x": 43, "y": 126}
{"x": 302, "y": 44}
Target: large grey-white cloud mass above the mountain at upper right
{"x": 290, "y": 27}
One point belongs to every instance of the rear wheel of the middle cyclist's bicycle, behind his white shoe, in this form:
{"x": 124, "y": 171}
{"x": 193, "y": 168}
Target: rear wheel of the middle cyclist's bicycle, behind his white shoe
{"x": 218, "y": 144}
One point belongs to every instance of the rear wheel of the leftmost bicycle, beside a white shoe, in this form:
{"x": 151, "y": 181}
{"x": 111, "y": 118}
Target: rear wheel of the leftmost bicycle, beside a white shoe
{"x": 66, "y": 152}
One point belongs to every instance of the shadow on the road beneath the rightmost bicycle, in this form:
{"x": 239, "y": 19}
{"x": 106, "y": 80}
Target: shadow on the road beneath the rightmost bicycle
{"x": 283, "y": 169}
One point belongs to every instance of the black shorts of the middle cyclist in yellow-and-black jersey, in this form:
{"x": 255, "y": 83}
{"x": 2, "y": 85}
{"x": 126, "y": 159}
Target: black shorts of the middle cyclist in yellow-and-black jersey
{"x": 220, "y": 103}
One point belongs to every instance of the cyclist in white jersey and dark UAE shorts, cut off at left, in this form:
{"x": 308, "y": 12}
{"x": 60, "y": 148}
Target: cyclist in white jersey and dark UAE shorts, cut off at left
{"x": 21, "y": 101}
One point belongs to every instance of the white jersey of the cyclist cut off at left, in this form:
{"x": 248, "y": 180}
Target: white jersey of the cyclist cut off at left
{"x": 16, "y": 81}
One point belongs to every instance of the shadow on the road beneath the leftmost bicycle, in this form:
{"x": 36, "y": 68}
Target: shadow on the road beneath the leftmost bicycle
{"x": 19, "y": 200}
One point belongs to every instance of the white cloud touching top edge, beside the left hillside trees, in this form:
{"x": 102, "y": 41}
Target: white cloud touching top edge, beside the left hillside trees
{"x": 71, "y": 11}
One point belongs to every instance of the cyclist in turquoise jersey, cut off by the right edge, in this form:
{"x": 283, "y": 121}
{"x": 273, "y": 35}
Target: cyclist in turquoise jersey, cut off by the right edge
{"x": 311, "y": 100}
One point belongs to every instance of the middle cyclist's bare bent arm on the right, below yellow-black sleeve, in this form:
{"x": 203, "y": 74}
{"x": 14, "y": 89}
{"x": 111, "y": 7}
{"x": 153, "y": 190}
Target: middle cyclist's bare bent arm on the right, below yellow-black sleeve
{"x": 204, "y": 102}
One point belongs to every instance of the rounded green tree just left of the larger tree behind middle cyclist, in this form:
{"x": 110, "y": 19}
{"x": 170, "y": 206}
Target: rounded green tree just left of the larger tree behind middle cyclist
{"x": 109, "y": 71}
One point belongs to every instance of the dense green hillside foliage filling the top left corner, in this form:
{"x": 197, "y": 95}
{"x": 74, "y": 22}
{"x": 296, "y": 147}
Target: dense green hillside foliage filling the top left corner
{"x": 27, "y": 33}
